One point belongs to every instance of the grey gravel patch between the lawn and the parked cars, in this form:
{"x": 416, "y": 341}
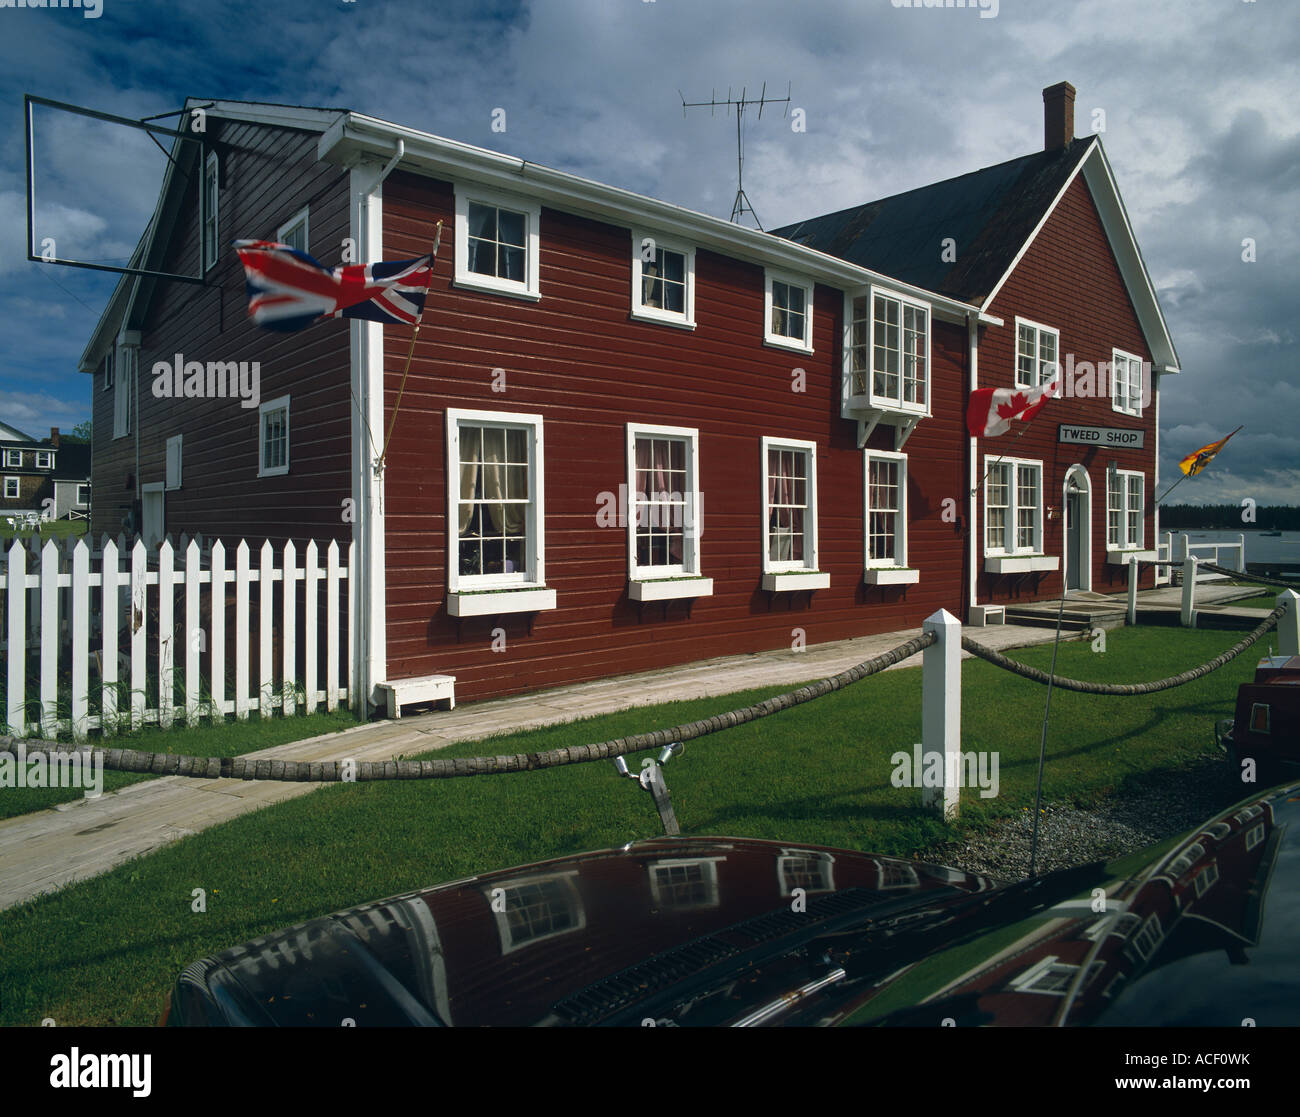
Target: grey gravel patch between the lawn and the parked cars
{"x": 1071, "y": 835}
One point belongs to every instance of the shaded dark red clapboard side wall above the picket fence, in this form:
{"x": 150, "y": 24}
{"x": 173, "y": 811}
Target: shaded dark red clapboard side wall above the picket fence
{"x": 267, "y": 175}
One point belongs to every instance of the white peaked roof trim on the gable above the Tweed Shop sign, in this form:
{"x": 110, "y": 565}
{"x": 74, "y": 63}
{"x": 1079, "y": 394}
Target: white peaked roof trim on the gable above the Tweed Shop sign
{"x": 1115, "y": 222}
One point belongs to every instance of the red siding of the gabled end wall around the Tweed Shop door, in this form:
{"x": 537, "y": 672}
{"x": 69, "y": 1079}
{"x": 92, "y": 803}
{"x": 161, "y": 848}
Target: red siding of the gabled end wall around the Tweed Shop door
{"x": 1068, "y": 280}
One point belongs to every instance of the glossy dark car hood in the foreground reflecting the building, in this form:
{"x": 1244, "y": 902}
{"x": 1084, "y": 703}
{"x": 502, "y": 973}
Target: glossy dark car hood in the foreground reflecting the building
{"x": 721, "y": 930}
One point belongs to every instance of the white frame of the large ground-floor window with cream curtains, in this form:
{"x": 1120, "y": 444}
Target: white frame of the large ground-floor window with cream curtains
{"x": 535, "y": 574}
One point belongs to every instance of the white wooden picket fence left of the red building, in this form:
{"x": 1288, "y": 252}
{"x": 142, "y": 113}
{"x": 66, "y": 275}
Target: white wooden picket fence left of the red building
{"x": 83, "y": 604}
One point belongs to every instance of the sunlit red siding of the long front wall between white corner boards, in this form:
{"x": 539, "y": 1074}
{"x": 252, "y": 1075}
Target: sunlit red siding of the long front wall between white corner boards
{"x": 578, "y": 360}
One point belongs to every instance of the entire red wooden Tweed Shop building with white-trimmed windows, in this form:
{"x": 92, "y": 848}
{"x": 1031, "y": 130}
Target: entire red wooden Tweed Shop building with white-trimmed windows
{"x": 632, "y": 435}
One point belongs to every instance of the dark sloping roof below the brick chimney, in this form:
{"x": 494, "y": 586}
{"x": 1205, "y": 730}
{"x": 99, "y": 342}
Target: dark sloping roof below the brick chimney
{"x": 990, "y": 215}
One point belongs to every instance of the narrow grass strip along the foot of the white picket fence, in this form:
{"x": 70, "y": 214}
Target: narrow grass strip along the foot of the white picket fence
{"x": 226, "y": 739}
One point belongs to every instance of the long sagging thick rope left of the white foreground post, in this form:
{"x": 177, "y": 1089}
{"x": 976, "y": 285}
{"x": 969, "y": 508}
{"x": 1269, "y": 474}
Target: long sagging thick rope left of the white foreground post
{"x": 361, "y": 772}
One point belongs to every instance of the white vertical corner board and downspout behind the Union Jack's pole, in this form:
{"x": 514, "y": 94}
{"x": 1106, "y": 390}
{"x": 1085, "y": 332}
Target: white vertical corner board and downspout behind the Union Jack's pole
{"x": 370, "y": 656}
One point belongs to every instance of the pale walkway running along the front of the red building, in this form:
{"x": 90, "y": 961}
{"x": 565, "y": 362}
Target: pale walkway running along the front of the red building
{"x": 47, "y": 850}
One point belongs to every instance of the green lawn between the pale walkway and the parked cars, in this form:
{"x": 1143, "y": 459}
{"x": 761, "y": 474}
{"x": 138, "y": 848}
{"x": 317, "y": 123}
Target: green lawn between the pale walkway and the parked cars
{"x": 106, "y": 951}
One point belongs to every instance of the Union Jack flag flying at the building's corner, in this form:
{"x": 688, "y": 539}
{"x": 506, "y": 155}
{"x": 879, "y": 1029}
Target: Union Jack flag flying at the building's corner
{"x": 289, "y": 291}
